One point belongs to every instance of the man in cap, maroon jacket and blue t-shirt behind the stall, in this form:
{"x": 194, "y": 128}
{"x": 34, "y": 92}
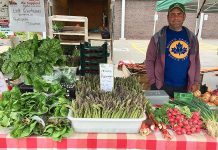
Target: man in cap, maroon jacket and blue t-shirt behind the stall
{"x": 172, "y": 59}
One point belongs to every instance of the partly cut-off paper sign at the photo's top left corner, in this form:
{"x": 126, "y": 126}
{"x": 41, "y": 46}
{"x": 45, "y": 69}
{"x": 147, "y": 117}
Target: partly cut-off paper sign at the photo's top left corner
{"x": 4, "y": 15}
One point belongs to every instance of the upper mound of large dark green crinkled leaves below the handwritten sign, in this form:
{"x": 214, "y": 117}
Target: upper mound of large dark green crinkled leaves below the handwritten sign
{"x": 32, "y": 58}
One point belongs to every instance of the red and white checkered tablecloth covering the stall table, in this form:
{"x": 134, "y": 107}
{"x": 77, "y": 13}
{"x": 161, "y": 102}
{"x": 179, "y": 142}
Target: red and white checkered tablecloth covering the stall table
{"x": 200, "y": 141}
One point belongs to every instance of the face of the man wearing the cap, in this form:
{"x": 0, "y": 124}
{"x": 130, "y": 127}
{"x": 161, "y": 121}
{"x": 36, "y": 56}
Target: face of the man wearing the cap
{"x": 176, "y": 18}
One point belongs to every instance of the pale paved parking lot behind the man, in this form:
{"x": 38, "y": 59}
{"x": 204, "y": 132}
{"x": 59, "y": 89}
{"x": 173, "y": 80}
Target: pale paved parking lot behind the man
{"x": 135, "y": 51}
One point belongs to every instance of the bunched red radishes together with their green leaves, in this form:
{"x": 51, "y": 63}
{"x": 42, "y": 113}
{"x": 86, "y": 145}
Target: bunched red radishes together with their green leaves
{"x": 179, "y": 118}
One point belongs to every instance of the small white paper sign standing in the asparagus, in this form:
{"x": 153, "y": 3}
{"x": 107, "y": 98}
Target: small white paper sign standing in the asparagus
{"x": 106, "y": 77}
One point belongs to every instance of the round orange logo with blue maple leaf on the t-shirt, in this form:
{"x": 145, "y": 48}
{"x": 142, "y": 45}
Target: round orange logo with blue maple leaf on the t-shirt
{"x": 179, "y": 49}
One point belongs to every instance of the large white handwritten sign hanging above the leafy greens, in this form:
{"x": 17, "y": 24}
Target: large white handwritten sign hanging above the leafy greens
{"x": 27, "y": 15}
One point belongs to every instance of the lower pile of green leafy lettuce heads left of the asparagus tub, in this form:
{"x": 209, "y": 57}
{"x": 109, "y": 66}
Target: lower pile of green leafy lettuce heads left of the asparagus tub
{"x": 42, "y": 112}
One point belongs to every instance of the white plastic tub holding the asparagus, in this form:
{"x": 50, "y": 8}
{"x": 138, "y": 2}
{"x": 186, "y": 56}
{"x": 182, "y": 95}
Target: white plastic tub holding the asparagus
{"x": 106, "y": 125}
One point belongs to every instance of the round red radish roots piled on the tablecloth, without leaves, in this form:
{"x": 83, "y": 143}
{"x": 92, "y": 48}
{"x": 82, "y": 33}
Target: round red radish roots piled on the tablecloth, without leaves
{"x": 182, "y": 124}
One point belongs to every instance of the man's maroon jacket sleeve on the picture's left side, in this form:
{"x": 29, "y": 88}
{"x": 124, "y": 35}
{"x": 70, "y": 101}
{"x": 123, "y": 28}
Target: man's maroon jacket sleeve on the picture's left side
{"x": 150, "y": 61}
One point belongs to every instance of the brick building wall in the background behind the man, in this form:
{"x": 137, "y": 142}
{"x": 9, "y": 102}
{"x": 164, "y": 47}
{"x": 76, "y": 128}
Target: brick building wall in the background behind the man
{"x": 139, "y": 21}
